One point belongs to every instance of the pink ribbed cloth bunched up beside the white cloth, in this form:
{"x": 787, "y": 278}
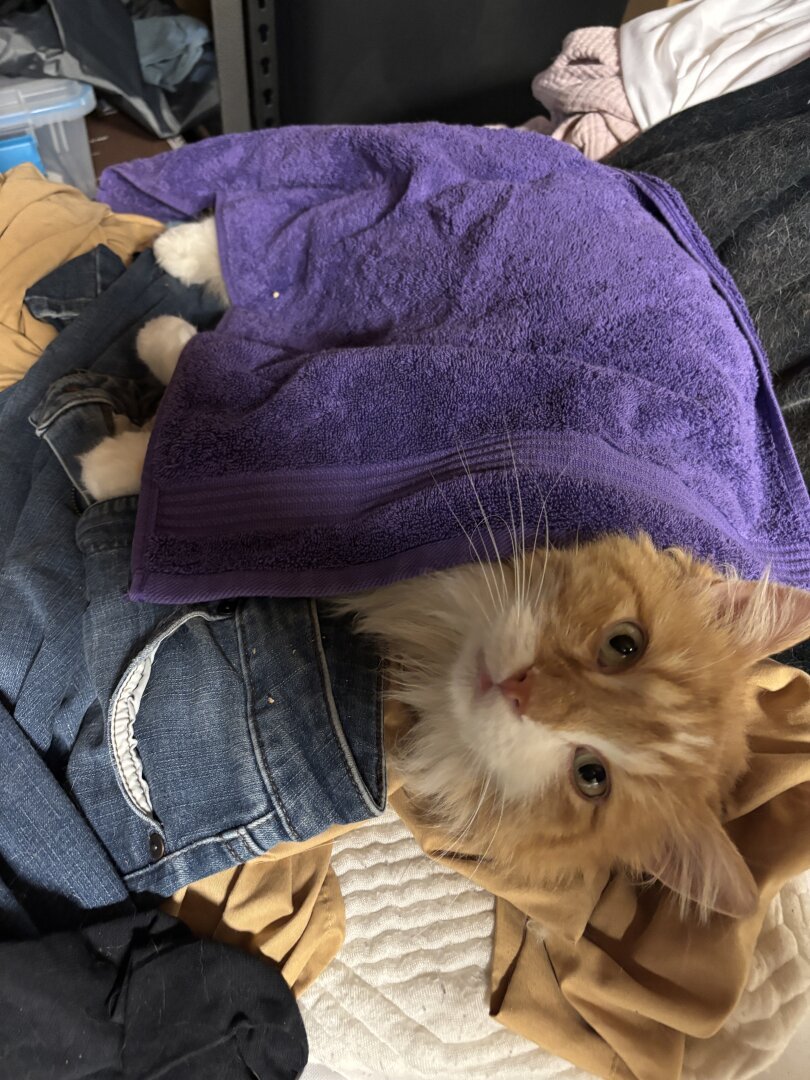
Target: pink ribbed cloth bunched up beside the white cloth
{"x": 585, "y": 94}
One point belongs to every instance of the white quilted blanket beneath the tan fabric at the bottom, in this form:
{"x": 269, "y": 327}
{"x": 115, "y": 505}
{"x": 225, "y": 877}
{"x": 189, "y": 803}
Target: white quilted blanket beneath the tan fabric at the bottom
{"x": 407, "y": 997}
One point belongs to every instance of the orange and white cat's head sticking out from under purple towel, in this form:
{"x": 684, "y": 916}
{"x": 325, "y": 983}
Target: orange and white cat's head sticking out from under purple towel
{"x": 593, "y": 704}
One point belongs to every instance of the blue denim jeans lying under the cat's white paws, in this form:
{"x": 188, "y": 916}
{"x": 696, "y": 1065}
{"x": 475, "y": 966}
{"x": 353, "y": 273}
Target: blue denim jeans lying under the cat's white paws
{"x": 143, "y": 747}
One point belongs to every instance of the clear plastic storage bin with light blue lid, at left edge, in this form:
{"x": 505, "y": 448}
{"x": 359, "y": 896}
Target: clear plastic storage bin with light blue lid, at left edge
{"x": 52, "y": 112}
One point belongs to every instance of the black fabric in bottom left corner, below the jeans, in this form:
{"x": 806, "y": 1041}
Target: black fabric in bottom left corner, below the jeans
{"x": 141, "y": 998}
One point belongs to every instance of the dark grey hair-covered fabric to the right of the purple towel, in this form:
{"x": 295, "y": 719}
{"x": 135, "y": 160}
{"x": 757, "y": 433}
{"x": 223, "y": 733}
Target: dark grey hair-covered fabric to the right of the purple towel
{"x": 741, "y": 163}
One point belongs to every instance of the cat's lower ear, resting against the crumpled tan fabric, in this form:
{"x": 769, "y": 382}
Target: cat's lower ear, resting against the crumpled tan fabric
{"x": 699, "y": 863}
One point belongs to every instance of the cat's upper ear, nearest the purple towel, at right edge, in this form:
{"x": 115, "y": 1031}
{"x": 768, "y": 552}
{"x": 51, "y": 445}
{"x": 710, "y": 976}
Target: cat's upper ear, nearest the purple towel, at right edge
{"x": 765, "y": 618}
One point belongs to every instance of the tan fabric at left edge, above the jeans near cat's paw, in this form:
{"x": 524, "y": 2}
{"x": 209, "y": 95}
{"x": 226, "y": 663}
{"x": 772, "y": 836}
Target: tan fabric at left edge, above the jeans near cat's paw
{"x": 44, "y": 225}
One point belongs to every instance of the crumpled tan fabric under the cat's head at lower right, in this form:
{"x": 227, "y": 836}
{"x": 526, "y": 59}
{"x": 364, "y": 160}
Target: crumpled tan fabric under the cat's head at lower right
{"x": 606, "y": 975}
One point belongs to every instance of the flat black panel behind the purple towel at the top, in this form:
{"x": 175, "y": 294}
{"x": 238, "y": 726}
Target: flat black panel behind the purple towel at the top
{"x": 457, "y": 61}
